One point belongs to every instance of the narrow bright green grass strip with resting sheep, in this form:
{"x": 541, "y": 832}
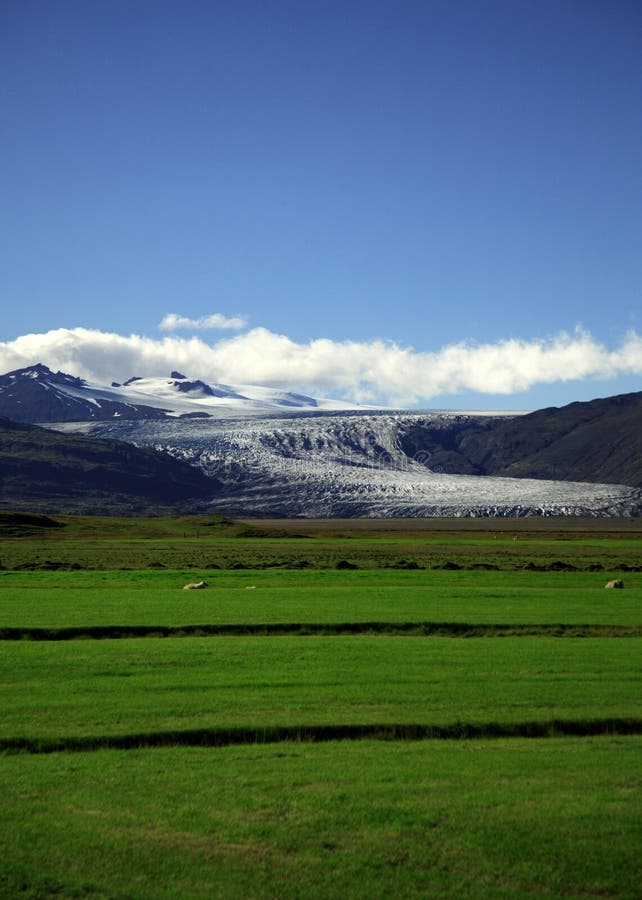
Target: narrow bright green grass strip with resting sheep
{"x": 58, "y": 599}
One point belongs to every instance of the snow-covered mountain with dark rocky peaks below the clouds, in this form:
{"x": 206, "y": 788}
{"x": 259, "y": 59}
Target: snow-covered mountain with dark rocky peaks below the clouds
{"x": 37, "y": 395}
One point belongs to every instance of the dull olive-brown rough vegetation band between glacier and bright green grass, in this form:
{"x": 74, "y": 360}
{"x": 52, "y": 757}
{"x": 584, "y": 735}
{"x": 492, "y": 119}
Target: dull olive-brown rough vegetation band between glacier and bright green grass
{"x": 203, "y": 542}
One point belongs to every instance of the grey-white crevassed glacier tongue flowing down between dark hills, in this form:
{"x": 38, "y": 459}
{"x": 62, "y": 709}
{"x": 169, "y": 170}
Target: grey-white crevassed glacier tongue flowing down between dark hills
{"x": 348, "y": 464}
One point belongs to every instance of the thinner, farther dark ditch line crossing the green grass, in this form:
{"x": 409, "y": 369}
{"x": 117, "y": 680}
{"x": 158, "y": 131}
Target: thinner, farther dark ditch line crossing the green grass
{"x": 420, "y": 629}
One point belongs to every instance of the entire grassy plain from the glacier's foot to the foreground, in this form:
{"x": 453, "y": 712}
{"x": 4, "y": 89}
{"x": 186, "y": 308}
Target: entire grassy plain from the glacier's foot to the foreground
{"x": 430, "y": 708}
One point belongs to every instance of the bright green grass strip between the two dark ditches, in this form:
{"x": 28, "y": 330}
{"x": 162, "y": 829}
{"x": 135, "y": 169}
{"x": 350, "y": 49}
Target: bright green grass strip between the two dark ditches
{"x": 150, "y": 685}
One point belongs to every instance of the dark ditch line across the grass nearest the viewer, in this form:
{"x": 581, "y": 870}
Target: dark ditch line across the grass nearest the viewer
{"x": 224, "y": 737}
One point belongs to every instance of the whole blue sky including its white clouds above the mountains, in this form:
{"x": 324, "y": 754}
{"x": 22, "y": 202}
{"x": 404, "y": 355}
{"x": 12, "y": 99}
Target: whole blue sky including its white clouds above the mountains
{"x": 373, "y": 192}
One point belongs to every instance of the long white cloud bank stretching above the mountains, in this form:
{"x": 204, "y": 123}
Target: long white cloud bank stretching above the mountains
{"x": 375, "y": 371}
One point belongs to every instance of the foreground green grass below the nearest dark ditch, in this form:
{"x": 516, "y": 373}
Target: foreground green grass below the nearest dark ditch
{"x": 546, "y": 818}
